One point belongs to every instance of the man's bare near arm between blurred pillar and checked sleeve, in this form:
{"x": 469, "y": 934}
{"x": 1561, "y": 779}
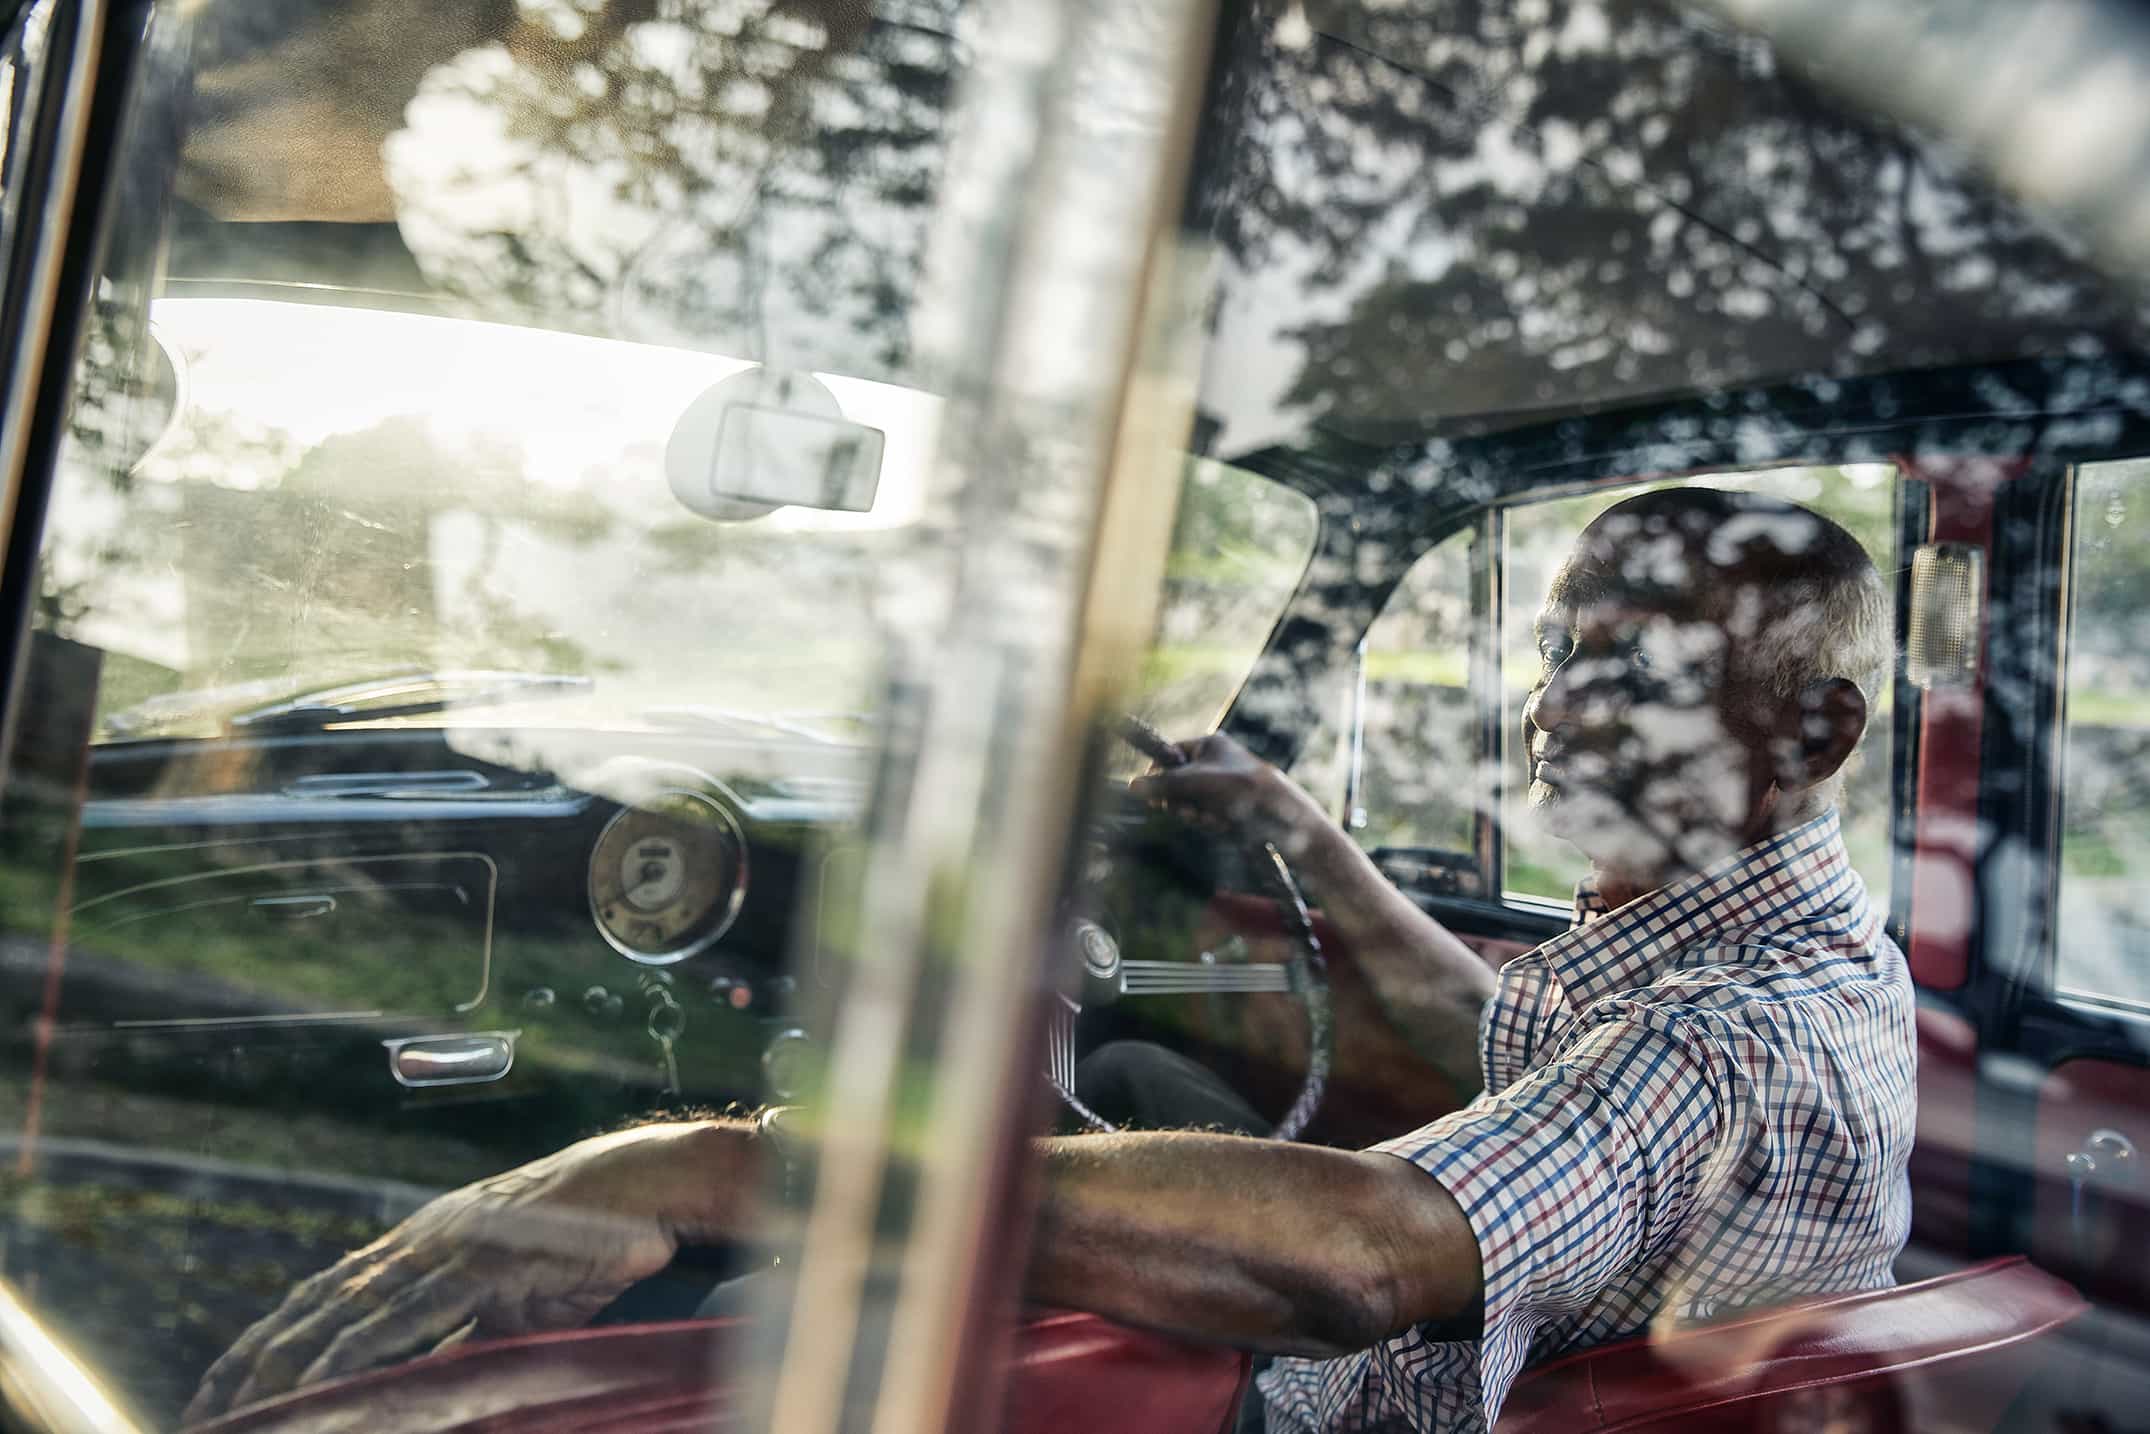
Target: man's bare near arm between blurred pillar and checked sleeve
{"x": 1267, "y": 1246}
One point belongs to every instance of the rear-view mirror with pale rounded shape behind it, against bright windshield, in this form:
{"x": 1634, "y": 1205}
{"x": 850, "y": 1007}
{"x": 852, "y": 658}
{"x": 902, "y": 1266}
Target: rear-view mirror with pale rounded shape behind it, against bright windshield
{"x": 760, "y": 442}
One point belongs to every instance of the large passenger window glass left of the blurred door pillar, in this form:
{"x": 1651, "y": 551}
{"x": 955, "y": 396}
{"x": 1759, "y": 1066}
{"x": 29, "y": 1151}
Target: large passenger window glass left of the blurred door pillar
{"x": 461, "y": 627}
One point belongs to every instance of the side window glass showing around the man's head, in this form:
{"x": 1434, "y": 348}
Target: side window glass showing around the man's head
{"x": 1540, "y": 536}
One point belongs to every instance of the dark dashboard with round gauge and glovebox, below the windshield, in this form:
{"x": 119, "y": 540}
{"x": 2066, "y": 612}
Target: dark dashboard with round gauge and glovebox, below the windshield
{"x": 620, "y": 926}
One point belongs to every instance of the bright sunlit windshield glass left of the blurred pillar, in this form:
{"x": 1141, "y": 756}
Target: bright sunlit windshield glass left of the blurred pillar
{"x": 450, "y": 496}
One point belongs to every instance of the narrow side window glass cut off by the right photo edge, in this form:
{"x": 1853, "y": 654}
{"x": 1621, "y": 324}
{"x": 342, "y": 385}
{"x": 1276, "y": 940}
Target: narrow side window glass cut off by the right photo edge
{"x": 2104, "y": 915}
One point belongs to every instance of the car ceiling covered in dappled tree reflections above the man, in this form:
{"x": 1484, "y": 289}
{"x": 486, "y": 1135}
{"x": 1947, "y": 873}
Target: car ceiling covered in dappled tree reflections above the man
{"x": 1678, "y": 212}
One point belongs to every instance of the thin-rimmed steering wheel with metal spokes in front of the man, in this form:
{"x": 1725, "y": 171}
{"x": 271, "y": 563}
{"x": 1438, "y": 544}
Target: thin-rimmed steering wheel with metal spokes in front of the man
{"x": 1108, "y": 977}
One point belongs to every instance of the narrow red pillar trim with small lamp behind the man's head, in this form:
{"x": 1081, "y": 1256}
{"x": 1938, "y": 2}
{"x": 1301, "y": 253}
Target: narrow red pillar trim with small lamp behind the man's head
{"x": 1945, "y": 827}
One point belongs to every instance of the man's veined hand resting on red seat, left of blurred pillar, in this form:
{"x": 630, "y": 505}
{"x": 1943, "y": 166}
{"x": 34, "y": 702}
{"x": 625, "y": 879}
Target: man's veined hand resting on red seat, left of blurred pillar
{"x": 545, "y": 1246}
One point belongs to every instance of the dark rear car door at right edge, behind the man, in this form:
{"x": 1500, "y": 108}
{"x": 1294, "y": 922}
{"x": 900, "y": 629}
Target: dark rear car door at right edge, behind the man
{"x": 2052, "y": 977}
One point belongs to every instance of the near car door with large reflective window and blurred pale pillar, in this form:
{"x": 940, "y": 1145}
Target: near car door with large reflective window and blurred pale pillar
{"x": 199, "y": 870}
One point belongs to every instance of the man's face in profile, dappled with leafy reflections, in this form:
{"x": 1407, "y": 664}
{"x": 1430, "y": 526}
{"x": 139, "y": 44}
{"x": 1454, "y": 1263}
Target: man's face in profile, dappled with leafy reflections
{"x": 1642, "y": 745}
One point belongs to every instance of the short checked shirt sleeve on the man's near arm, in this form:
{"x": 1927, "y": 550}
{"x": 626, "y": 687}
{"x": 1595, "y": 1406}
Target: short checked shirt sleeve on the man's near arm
{"x": 1566, "y": 1186}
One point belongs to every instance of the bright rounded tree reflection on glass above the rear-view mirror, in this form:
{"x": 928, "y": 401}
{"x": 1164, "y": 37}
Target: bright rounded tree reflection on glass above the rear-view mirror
{"x": 747, "y": 177}
